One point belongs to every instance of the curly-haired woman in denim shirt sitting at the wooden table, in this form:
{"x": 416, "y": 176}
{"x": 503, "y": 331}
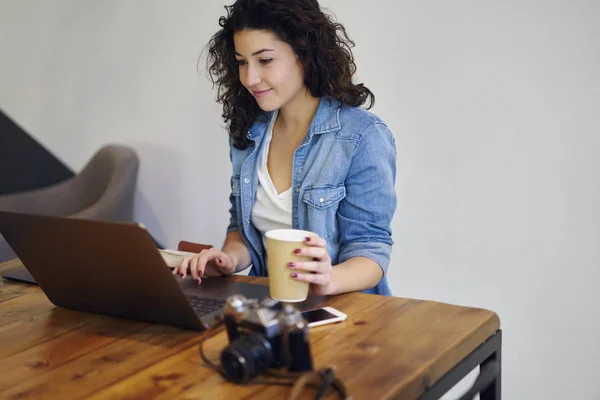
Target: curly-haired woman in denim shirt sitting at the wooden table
{"x": 304, "y": 154}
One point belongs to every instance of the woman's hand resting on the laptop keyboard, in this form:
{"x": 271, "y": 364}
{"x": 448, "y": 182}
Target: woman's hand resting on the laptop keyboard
{"x": 209, "y": 262}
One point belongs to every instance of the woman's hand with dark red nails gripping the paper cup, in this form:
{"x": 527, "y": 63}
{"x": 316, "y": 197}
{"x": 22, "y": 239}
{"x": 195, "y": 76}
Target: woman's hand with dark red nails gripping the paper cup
{"x": 318, "y": 270}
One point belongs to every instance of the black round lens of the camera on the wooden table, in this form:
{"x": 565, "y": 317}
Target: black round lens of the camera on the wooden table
{"x": 246, "y": 357}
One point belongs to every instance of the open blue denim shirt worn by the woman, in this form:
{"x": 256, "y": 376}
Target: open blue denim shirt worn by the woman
{"x": 343, "y": 179}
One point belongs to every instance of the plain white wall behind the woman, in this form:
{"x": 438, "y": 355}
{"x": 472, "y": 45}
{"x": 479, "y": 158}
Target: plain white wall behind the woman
{"x": 493, "y": 105}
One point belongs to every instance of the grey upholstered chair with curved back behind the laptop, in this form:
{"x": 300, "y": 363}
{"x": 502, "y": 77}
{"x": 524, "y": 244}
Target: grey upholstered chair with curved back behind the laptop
{"x": 103, "y": 190}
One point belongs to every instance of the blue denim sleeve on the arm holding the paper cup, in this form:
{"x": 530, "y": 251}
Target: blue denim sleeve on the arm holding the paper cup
{"x": 365, "y": 214}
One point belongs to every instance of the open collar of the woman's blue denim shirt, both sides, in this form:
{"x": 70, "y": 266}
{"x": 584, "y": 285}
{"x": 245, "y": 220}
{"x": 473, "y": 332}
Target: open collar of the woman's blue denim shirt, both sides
{"x": 326, "y": 119}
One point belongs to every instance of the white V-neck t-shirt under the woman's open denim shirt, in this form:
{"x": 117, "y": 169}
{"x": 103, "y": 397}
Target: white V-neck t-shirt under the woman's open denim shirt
{"x": 271, "y": 210}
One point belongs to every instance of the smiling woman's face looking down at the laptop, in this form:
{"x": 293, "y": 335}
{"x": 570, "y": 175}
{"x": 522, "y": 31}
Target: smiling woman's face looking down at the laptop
{"x": 269, "y": 68}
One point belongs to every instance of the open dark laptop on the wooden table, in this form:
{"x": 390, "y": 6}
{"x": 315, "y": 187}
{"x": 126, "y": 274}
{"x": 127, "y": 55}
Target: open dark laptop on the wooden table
{"x": 115, "y": 269}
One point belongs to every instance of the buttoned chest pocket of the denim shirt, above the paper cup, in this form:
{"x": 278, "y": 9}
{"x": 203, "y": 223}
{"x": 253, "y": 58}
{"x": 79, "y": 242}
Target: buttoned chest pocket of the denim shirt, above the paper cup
{"x": 322, "y": 206}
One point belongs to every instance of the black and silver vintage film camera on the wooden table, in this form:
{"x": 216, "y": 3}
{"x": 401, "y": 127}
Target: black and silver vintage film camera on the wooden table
{"x": 265, "y": 334}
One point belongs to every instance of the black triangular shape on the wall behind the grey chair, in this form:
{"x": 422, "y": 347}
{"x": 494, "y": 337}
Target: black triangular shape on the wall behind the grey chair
{"x": 24, "y": 163}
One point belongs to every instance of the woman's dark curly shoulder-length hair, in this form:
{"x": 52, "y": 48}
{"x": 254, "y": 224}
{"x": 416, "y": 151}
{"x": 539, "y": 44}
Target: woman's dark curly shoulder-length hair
{"x": 321, "y": 44}
